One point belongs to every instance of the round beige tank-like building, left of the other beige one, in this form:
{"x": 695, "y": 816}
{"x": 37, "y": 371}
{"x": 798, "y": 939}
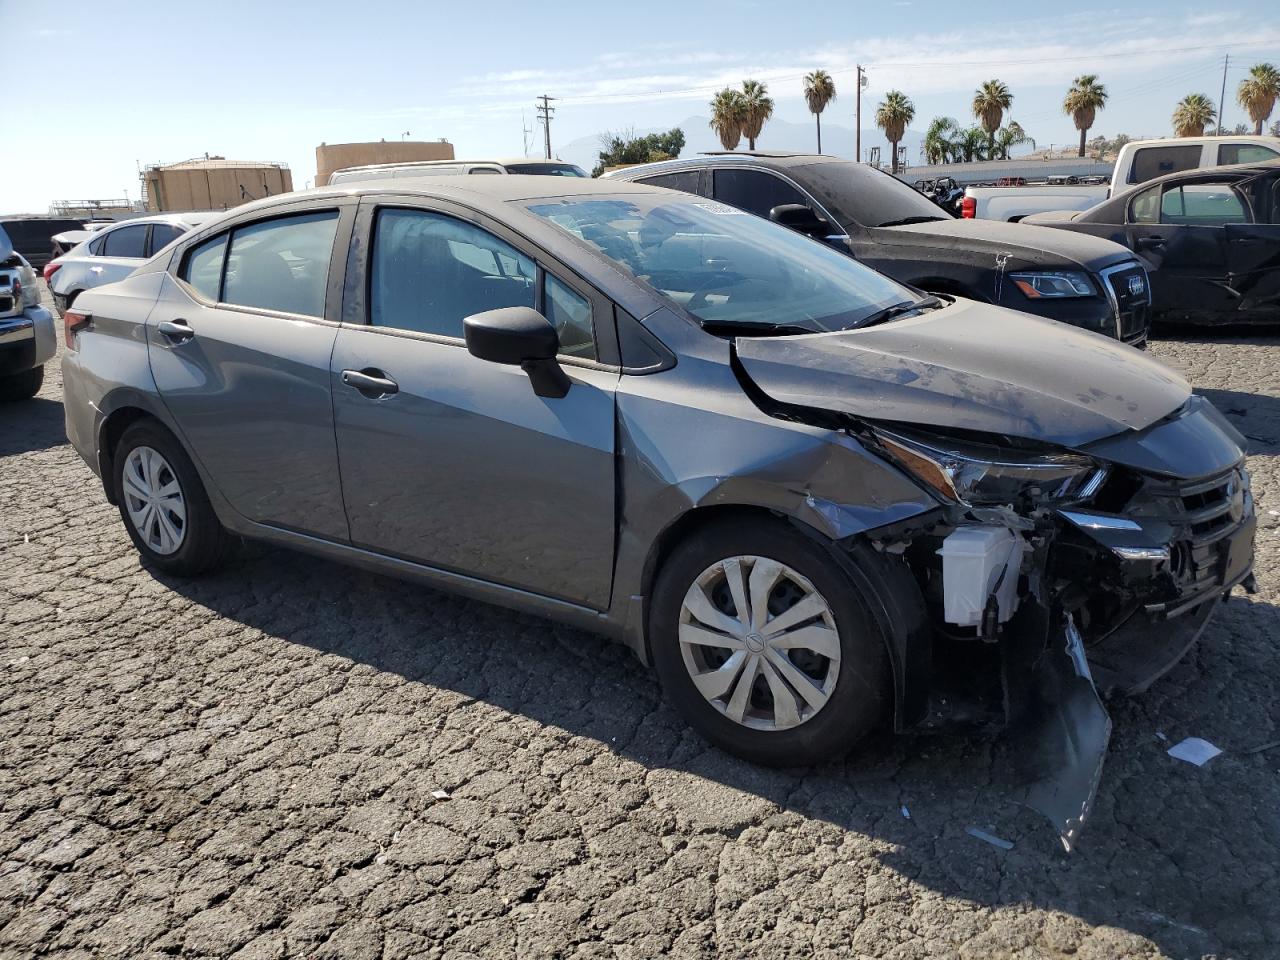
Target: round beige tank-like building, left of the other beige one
{"x": 212, "y": 184}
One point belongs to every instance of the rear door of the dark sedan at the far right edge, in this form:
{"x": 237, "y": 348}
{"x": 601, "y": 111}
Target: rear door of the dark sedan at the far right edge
{"x": 1181, "y": 230}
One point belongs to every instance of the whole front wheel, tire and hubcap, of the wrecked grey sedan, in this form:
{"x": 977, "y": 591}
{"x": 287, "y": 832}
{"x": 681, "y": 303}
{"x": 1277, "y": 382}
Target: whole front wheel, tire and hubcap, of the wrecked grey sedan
{"x": 765, "y": 646}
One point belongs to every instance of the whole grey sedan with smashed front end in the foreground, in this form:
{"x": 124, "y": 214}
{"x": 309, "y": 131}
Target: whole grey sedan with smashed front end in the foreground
{"x": 811, "y": 497}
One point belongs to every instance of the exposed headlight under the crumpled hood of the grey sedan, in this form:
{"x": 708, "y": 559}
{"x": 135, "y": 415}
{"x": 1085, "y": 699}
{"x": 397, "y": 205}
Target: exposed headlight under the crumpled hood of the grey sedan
{"x": 989, "y": 476}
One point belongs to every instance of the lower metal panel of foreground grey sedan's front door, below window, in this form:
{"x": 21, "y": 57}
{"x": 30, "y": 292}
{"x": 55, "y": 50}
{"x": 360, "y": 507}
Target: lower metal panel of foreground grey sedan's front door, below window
{"x": 467, "y": 469}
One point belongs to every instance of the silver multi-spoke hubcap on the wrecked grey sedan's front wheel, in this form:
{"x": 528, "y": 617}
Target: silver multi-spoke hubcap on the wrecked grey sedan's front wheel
{"x": 760, "y": 642}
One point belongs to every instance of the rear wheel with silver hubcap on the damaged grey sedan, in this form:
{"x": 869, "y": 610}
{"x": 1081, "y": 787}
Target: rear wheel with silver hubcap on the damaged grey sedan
{"x": 164, "y": 505}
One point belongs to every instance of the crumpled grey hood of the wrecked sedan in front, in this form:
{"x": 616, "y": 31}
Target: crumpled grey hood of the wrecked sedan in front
{"x": 971, "y": 367}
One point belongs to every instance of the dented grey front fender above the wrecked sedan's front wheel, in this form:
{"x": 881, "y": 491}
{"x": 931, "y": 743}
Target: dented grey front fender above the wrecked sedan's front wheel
{"x": 691, "y": 438}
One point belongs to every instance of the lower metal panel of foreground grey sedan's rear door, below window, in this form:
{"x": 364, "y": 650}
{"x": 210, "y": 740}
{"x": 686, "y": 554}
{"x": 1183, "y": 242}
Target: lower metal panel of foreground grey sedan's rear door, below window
{"x": 250, "y": 394}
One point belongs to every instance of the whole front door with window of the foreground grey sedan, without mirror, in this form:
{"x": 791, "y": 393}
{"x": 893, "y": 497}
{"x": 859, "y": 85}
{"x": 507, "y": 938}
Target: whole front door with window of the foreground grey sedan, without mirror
{"x": 456, "y": 463}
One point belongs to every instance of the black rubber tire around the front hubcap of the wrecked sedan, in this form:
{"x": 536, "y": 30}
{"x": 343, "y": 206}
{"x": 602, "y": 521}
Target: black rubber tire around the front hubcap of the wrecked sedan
{"x": 863, "y": 692}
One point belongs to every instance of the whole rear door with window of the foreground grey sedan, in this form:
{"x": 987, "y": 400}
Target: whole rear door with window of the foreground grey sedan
{"x": 240, "y": 350}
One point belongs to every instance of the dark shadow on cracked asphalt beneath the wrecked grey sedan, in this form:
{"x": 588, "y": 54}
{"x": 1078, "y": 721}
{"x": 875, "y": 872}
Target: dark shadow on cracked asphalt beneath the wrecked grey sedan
{"x": 1172, "y": 853}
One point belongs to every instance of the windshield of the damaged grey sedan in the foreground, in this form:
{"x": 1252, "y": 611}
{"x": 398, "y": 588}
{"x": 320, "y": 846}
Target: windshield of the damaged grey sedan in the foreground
{"x": 726, "y": 267}
